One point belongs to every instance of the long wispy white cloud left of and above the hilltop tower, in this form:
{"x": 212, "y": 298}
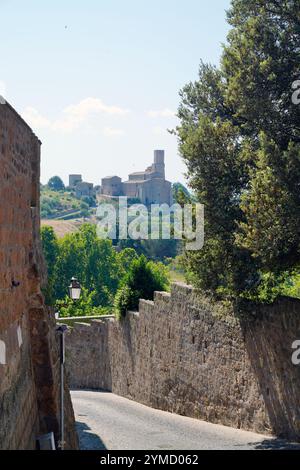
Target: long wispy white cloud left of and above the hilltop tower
{"x": 72, "y": 116}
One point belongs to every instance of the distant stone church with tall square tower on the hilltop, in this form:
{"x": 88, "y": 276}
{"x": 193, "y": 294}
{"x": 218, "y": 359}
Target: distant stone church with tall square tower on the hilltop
{"x": 149, "y": 186}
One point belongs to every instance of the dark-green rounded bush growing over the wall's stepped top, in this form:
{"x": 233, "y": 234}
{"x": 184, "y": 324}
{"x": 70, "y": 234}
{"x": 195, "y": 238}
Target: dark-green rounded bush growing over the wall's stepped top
{"x": 143, "y": 278}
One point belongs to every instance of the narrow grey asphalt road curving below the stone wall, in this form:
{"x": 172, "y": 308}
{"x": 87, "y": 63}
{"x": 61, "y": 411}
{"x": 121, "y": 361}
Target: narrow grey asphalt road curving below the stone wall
{"x": 107, "y": 421}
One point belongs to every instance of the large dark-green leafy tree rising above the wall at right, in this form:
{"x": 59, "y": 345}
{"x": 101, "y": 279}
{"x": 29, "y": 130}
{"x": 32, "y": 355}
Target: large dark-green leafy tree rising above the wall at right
{"x": 239, "y": 136}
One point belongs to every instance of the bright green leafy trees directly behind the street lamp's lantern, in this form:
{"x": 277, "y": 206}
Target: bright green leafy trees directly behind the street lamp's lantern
{"x": 82, "y": 254}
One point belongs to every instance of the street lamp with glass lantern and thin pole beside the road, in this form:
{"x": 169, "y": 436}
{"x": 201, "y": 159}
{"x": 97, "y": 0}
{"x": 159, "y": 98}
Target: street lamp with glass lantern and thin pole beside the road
{"x": 74, "y": 293}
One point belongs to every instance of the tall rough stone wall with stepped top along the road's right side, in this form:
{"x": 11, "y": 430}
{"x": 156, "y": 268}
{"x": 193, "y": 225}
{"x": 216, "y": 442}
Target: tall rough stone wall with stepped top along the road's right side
{"x": 177, "y": 354}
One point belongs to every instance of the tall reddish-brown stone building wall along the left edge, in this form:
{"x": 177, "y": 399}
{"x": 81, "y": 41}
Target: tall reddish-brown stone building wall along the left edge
{"x": 29, "y": 358}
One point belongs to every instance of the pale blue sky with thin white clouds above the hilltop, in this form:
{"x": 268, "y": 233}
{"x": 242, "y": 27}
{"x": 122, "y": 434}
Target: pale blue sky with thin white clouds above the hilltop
{"x": 98, "y": 80}
